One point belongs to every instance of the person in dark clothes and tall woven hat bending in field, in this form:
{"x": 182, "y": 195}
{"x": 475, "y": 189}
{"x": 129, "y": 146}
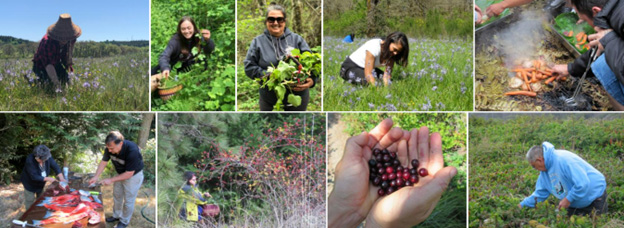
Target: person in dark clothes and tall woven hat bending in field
{"x": 54, "y": 55}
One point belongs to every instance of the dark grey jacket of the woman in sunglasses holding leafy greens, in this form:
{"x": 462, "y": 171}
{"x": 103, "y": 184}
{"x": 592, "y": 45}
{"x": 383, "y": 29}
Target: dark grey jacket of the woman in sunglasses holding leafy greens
{"x": 262, "y": 52}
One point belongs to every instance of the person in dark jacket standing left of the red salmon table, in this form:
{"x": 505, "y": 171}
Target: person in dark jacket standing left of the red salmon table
{"x": 36, "y": 173}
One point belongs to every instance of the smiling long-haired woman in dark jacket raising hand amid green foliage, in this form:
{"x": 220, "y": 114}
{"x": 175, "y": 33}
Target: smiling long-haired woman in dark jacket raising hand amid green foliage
{"x": 179, "y": 49}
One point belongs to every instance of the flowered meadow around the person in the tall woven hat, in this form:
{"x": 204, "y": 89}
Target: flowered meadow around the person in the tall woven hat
{"x": 97, "y": 84}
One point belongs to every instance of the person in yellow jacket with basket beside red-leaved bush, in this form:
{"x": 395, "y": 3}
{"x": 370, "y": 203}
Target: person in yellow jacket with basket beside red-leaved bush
{"x": 195, "y": 203}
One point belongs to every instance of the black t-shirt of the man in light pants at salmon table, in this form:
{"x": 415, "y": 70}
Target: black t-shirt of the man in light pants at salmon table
{"x": 128, "y": 159}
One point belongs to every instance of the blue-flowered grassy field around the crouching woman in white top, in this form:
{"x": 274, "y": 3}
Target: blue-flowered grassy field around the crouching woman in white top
{"x": 438, "y": 77}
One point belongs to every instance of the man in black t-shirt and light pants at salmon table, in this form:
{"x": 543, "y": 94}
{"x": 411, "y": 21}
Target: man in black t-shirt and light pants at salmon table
{"x": 128, "y": 163}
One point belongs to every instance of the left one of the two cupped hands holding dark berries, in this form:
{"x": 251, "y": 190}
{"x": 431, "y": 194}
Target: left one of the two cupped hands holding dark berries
{"x": 352, "y": 196}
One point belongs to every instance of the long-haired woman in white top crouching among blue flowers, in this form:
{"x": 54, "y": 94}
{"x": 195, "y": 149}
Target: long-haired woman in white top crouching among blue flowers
{"x": 361, "y": 67}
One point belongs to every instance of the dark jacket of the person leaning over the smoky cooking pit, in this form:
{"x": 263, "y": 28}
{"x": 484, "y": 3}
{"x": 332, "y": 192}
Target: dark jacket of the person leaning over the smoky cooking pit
{"x": 611, "y": 17}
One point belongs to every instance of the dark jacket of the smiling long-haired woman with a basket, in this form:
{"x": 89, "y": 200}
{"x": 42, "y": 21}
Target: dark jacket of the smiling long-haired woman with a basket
{"x": 173, "y": 53}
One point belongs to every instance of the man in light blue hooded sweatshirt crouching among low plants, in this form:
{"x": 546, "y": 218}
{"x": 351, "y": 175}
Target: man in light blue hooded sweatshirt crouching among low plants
{"x": 580, "y": 187}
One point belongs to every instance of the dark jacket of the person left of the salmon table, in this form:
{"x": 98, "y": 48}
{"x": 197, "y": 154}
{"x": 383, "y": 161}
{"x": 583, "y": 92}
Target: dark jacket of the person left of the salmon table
{"x": 31, "y": 175}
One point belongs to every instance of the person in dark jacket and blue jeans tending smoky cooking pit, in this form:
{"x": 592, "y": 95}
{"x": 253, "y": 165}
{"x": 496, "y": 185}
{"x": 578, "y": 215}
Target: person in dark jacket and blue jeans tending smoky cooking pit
{"x": 607, "y": 18}
